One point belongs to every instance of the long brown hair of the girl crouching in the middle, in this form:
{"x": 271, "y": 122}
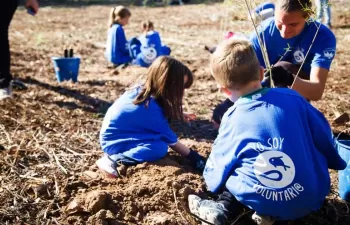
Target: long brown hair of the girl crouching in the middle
{"x": 165, "y": 83}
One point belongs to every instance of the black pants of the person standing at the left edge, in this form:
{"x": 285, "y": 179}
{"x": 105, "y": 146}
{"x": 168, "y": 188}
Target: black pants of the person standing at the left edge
{"x": 8, "y": 8}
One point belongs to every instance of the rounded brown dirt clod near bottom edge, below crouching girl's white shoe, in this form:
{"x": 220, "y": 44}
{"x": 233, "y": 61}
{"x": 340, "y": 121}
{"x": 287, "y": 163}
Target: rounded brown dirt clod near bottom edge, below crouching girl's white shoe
{"x": 96, "y": 200}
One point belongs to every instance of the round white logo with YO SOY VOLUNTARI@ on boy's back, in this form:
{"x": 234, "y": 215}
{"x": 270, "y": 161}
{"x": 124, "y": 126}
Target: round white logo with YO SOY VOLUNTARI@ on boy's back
{"x": 275, "y": 172}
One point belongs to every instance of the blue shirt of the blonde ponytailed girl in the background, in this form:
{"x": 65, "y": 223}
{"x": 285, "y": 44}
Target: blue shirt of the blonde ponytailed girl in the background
{"x": 117, "y": 48}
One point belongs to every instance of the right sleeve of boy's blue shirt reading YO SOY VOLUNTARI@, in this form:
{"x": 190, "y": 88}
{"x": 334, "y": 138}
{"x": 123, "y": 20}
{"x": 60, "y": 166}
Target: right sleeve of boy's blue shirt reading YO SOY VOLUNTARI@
{"x": 323, "y": 138}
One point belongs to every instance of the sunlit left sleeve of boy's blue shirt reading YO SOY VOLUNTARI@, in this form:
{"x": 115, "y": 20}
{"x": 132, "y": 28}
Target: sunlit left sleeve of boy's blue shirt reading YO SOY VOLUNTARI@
{"x": 222, "y": 159}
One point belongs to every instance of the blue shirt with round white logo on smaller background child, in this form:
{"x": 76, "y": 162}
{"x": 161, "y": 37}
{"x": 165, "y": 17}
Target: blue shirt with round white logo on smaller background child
{"x": 151, "y": 48}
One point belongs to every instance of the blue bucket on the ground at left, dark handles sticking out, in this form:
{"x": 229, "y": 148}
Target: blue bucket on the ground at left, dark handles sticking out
{"x": 66, "y": 68}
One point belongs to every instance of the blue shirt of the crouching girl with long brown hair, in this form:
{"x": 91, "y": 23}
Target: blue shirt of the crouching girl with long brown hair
{"x": 127, "y": 126}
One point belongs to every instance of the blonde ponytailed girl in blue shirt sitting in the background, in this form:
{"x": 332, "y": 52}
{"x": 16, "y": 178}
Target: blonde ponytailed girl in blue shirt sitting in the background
{"x": 117, "y": 49}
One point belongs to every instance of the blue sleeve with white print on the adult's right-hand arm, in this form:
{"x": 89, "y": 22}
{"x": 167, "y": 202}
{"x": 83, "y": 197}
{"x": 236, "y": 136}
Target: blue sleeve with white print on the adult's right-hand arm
{"x": 324, "y": 51}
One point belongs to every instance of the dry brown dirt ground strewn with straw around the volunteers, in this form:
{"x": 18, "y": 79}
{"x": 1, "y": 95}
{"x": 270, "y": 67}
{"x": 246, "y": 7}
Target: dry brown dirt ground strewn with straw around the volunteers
{"x": 49, "y": 132}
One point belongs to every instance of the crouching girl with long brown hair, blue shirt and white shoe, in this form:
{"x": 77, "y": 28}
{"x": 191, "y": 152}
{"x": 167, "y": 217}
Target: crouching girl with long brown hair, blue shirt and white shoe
{"x": 136, "y": 129}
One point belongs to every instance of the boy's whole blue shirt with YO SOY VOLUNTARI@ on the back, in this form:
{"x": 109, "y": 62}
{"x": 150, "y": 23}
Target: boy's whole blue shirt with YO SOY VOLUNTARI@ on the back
{"x": 272, "y": 153}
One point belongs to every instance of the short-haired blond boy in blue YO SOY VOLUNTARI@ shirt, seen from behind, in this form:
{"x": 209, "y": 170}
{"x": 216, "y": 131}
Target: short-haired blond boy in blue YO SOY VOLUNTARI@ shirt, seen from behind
{"x": 273, "y": 150}
